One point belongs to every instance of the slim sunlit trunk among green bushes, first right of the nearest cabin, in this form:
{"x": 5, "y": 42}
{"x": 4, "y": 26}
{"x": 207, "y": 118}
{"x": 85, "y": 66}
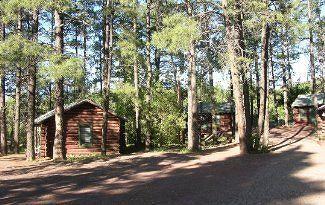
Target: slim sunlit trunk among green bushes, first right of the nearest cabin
{"x": 136, "y": 87}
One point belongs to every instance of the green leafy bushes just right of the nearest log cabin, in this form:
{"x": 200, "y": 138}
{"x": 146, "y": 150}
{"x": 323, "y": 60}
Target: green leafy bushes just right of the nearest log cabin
{"x": 168, "y": 119}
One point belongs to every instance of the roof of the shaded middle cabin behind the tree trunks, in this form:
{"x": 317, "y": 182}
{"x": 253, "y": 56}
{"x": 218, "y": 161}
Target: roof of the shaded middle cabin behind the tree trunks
{"x": 222, "y": 108}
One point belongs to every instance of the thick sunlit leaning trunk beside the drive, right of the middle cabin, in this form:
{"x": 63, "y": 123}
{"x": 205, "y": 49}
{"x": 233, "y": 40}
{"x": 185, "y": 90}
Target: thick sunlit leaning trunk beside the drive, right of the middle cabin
{"x": 235, "y": 46}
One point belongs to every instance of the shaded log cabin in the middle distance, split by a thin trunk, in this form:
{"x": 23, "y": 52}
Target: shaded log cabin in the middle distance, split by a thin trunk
{"x": 225, "y": 118}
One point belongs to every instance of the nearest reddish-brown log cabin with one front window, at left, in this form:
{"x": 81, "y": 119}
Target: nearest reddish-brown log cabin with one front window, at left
{"x": 83, "y": 130}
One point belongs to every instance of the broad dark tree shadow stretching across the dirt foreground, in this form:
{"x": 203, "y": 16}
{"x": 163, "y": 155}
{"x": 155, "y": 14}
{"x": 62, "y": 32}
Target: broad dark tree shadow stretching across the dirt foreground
{"x": 171, "y": 178}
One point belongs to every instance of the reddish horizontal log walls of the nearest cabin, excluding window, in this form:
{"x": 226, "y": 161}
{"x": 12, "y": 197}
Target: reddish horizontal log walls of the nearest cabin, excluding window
{"x": 83, "y": 114}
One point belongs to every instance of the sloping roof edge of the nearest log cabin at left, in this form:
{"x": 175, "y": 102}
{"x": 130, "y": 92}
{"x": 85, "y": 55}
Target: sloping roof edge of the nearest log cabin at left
{"x": 68, "y": 107}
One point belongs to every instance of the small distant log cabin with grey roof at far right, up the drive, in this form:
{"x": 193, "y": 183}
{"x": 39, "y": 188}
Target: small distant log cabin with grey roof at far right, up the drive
{"x": 303, "y": 108}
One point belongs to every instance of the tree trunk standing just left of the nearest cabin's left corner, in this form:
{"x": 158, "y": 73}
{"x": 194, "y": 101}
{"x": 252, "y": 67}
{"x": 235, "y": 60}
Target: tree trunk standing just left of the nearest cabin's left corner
{"x": 30, "y": 152}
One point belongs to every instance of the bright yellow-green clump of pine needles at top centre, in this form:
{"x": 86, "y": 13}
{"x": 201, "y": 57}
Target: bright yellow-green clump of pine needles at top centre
{"x": 178, "y": 32}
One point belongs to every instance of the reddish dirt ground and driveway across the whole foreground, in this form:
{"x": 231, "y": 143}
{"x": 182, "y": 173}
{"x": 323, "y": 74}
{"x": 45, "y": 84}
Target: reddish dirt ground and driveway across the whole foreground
{"x": 293, "y": 173}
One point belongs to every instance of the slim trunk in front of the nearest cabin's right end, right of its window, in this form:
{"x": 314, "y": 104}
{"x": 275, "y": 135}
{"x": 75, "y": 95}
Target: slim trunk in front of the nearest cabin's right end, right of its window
{"x": 107, "y": 57}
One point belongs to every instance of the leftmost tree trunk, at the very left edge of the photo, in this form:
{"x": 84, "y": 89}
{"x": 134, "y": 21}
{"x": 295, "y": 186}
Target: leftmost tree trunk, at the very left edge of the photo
{"x": 3, "y": 126}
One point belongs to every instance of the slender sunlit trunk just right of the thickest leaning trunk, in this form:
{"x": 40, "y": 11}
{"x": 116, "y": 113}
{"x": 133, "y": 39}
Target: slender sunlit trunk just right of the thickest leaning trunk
{"x": 264, "y": 79}
